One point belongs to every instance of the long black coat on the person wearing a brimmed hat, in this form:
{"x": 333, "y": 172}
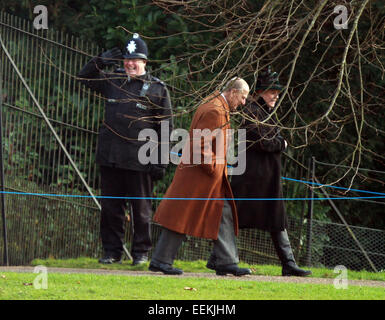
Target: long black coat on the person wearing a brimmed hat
{"x": 262, "y": 178}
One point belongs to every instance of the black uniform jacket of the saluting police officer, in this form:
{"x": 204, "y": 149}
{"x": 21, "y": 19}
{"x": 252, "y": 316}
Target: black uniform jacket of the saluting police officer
{"x": 129, "y": 108}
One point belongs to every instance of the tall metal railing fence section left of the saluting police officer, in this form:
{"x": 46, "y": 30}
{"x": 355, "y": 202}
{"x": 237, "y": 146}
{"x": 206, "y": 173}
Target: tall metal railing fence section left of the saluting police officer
{"x": 34, "y": 161}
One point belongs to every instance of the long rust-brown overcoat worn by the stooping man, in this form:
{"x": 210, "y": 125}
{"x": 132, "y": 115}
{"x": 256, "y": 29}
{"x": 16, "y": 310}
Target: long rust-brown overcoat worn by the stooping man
{"x": 200, "y": 218}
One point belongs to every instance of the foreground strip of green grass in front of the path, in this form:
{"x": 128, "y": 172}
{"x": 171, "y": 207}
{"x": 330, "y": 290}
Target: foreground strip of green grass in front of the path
{"x": 19, "y": 286}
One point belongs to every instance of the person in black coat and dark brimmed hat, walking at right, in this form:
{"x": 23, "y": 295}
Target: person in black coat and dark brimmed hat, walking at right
{"x": 262, "y": 178}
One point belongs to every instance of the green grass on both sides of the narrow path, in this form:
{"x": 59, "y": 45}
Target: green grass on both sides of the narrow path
{"x": 20, "y": 286}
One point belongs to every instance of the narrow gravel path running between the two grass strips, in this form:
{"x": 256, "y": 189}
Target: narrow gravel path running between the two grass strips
{"x": 369, "y": 283}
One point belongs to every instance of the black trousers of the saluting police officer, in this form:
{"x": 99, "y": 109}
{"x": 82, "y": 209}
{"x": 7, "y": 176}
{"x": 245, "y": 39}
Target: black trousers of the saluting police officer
{"x": 117, "y": 182}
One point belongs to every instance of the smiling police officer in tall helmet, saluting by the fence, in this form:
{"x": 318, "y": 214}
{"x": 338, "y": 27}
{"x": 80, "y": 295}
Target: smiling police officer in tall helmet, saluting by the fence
{"x": 135, "y": 100}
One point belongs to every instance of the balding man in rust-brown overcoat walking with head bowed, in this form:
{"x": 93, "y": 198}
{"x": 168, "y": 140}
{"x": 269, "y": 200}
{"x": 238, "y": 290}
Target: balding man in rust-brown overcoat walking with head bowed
{"x": 199, "y": 201}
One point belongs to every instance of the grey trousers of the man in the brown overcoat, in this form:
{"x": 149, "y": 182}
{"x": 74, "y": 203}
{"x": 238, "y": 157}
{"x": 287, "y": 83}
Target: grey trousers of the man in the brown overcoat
{"x": 224, "y": 251}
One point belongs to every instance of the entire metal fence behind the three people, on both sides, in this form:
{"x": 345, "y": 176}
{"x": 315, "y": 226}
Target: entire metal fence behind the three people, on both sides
{"x": 35, "y": 161}
